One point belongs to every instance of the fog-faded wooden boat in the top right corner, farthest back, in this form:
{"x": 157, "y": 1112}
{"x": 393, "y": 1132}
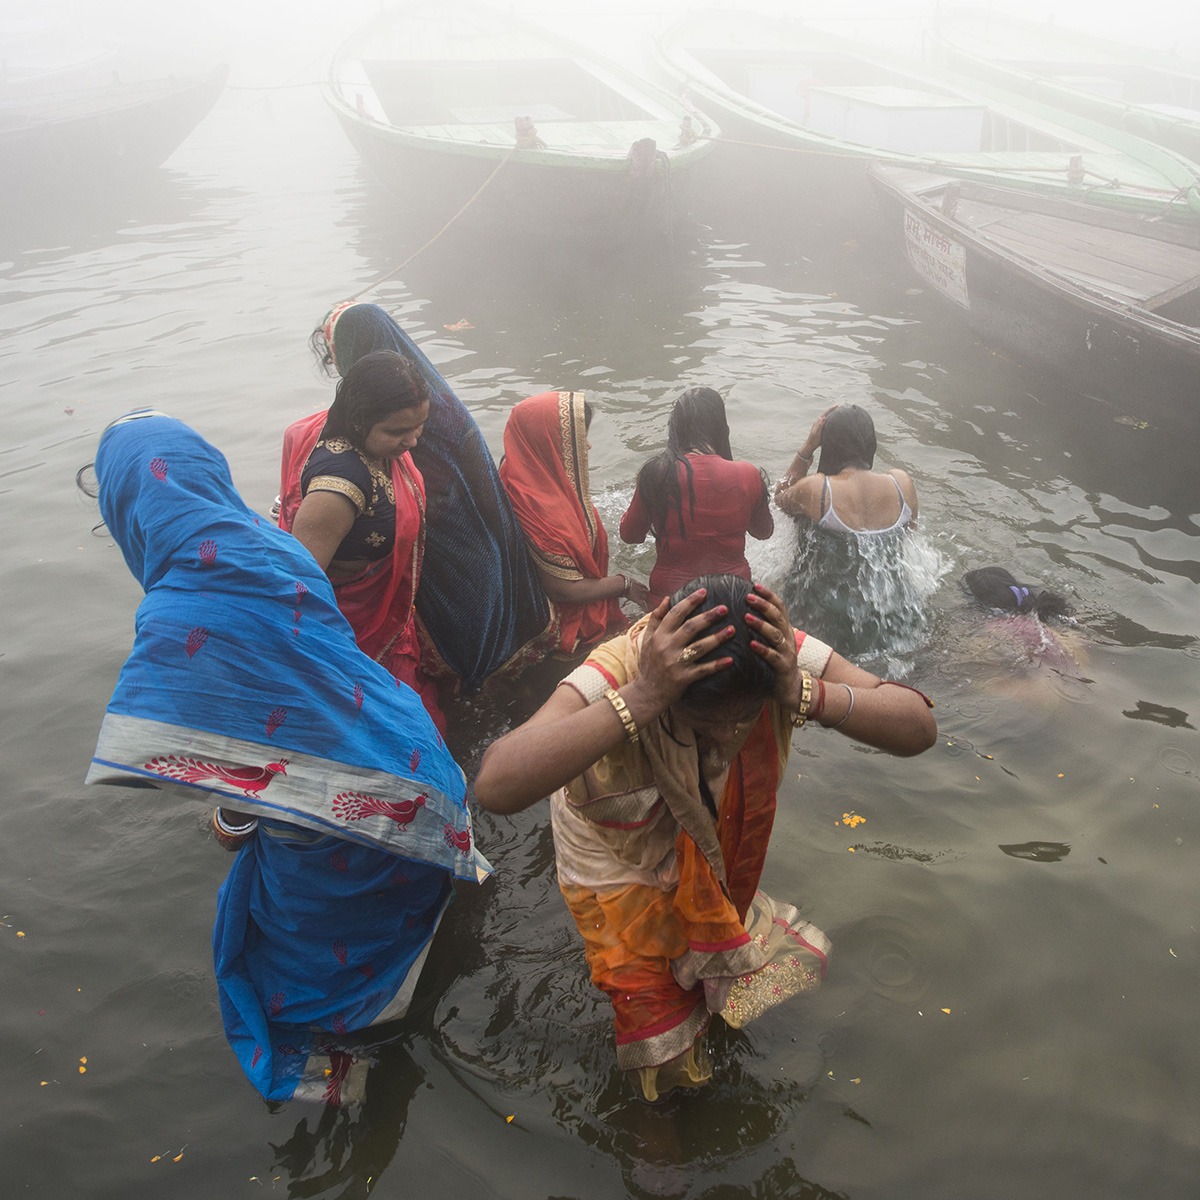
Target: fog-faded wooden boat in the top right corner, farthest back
{"x": 1151, "y": 94}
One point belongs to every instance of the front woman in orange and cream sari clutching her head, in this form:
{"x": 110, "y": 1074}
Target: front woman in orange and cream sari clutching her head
{"x": 664, "y": 753}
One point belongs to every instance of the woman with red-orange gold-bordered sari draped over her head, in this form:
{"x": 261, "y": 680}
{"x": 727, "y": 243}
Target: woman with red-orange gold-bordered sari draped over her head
{"x": 545, "y": 472}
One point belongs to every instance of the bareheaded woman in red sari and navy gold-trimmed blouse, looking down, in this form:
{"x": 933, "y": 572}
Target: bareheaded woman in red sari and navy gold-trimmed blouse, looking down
{"x": 351, "y": 494}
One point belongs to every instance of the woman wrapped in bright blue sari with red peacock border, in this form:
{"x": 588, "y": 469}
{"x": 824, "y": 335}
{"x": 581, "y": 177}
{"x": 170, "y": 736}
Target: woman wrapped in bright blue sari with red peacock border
{"x": 245, "y": 687}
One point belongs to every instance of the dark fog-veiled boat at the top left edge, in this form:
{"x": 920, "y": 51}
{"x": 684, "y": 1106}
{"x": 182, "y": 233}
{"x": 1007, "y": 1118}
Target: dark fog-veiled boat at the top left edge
{"x": 69, "y": 137}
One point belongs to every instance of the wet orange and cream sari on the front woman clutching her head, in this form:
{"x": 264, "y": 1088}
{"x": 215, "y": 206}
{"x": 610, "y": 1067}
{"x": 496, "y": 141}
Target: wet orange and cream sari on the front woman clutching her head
{"x": 667, "y": 899}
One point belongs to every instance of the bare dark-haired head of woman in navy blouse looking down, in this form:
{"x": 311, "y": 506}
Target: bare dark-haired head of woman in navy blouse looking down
{"x": 381, "y": 405}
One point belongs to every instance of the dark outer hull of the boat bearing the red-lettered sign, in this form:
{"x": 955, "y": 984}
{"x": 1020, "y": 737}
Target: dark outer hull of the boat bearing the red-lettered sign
{"x": 1097, "y": 349}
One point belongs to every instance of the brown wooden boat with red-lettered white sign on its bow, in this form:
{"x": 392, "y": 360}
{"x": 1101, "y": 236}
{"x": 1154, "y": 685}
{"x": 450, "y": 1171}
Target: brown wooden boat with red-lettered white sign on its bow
{"x": 1109, "y": 302}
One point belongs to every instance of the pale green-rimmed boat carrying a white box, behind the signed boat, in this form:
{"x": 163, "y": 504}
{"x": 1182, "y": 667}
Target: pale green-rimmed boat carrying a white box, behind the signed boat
{"x": 838, "y": 105}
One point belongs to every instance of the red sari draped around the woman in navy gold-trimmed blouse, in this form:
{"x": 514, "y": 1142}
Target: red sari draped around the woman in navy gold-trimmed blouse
{"x": 379, "y": 604}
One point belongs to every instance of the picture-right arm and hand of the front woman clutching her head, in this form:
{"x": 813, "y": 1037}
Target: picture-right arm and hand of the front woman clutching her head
{"x": 889, "y": 717}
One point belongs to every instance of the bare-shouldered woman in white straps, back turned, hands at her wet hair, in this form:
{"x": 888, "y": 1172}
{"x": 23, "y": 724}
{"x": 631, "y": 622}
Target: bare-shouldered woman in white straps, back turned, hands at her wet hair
{"x": 845, "y": 496}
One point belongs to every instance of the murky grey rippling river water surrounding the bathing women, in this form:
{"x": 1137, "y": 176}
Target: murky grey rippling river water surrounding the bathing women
{"x": 1011, "y": 1003}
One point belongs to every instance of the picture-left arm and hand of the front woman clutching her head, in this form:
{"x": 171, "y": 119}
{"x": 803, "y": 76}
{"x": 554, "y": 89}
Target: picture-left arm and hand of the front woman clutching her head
{"x": 566, "y": 737}
